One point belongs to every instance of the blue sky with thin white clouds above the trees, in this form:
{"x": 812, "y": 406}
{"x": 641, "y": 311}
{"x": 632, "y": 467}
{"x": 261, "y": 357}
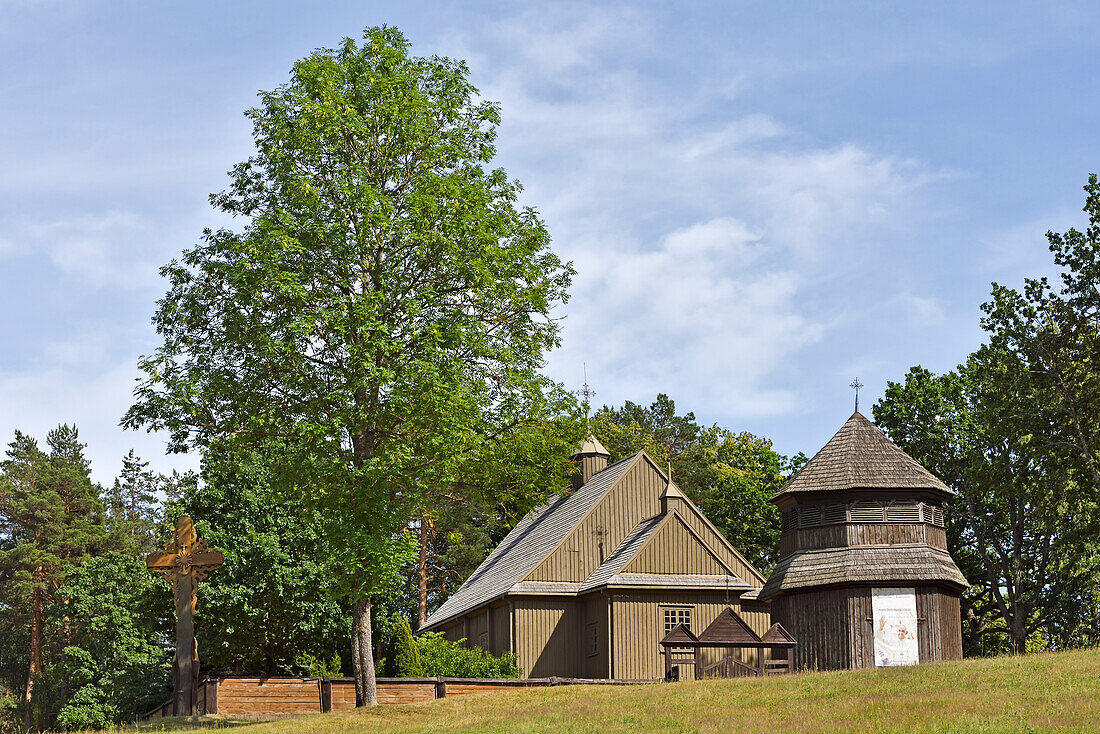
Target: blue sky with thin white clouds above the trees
{"x": 763, "y": 201}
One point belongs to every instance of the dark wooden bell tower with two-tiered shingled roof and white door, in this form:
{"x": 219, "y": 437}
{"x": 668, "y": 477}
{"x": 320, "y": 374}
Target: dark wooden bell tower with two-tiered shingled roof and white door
{"x": 865, "y": 579}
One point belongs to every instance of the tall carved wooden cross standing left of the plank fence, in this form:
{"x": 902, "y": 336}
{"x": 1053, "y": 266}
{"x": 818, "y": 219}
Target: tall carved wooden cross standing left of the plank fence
{"x": 188, "y": 561}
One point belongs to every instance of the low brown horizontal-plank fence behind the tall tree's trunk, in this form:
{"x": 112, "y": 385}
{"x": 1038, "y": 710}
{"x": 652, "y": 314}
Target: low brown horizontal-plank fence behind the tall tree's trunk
{"x": 289, "y": 697}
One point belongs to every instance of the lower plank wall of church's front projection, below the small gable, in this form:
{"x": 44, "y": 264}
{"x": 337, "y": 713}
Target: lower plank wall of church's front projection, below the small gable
{"x": 637, "y": 655}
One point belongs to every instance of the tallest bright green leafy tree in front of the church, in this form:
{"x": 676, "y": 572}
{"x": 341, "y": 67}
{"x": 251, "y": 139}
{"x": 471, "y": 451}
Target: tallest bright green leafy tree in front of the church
{"x": 384, "y": 310}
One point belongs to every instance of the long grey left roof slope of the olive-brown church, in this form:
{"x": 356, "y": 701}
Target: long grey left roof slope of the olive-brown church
{"x": 529, "y": 543}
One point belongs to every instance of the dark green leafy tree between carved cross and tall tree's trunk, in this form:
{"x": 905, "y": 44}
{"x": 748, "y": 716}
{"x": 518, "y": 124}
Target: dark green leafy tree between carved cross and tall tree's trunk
{"x": 274, "y": 599}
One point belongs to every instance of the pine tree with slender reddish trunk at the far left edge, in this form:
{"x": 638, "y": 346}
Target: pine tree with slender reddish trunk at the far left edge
{"x": 51, "y": 520}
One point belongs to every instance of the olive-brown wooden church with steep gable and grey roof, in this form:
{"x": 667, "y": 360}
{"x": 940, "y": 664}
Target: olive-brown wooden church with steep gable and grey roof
{"x": 589, "y": 585}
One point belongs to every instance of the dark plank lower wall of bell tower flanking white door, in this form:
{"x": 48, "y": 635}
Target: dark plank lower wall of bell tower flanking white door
{"x": 835, "y": 631}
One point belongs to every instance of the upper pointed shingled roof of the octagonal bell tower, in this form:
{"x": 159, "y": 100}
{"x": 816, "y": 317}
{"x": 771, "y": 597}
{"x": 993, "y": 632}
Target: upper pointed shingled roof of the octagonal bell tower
{"x": 861, "y": 456}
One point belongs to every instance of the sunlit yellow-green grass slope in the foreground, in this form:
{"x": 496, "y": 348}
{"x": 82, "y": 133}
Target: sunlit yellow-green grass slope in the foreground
{"x": 1052, "y": 693}
